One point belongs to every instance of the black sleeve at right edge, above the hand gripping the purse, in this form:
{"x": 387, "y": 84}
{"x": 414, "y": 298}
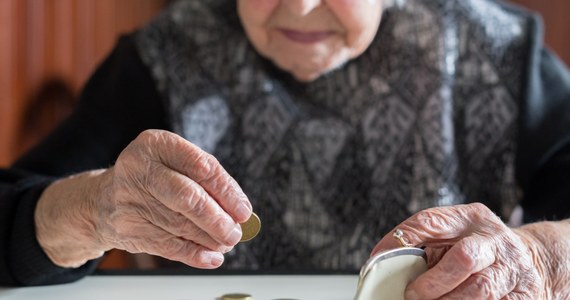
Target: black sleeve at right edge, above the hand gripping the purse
{"x": 545, "y": 141}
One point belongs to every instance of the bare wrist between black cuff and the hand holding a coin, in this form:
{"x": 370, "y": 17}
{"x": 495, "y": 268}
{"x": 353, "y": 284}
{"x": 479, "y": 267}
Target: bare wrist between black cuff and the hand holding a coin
{"x": 63, "y": 218}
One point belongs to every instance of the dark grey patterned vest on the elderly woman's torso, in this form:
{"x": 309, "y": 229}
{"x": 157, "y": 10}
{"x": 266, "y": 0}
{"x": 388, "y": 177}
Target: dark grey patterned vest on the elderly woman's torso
{"x": 427, "y": 116}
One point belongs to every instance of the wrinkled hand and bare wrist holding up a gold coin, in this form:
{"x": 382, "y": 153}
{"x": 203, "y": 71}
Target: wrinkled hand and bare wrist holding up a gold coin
{"x": 164, "y": 196}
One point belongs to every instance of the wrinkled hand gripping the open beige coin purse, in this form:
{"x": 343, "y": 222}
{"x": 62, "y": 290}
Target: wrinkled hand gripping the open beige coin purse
{"x": 472, "y": 254}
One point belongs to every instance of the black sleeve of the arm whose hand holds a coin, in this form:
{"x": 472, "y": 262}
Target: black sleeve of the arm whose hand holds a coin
{"x": 118, "y": 102}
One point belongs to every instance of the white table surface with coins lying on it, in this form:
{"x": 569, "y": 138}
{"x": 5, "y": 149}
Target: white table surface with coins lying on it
{"x": 261, "y": 287}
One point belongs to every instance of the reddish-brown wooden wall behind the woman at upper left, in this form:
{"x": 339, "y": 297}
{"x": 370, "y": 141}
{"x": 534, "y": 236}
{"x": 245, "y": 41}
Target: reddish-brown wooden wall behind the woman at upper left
{"x": 63, "y": 39}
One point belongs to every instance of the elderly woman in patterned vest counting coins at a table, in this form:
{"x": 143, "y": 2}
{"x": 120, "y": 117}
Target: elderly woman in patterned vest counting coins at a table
{"x": 339, "y": 119}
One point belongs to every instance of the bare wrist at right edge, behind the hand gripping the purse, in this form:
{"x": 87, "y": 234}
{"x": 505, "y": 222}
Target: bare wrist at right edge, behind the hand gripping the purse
{"x": 550, "y": 243}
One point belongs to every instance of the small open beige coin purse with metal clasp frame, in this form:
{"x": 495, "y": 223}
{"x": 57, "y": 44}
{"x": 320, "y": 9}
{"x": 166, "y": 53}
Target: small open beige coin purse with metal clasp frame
{"x": 386, "y": 274}
